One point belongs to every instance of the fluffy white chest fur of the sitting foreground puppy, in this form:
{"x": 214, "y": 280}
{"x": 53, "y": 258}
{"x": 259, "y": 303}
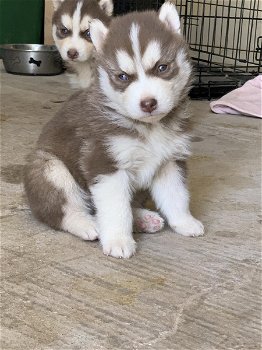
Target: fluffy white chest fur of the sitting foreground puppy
{"x": 142, "y": 158}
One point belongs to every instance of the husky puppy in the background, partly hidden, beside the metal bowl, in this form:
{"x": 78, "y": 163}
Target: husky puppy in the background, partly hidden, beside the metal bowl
{"x": 71, "y": 33}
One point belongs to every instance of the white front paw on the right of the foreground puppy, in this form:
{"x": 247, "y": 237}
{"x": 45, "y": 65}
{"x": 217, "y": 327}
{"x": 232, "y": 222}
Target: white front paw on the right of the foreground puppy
{"x": 189, "y": 226}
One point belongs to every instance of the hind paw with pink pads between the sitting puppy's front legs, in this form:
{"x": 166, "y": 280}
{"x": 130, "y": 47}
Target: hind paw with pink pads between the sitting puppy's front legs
{"x": 147, "y": 221}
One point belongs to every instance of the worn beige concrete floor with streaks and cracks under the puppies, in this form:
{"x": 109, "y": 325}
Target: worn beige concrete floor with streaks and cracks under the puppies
{"x": 176, "y": 293}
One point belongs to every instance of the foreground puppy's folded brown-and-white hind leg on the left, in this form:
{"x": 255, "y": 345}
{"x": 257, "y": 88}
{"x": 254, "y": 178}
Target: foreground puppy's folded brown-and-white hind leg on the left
{"x": 55, "y": 197}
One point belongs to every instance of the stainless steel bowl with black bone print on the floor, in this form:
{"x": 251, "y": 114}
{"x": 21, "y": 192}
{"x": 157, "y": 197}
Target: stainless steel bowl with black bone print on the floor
{"x": 31, "y": 59}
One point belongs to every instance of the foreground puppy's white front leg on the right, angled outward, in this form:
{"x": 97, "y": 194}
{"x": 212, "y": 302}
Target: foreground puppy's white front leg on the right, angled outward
{"x": 172, "y": 198}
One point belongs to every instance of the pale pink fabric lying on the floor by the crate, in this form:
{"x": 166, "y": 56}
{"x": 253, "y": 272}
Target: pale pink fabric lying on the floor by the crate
{"x": 245, "y": 100}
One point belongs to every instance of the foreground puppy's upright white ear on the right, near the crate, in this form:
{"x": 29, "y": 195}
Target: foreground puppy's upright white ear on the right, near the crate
{"x": 168, "y": 14}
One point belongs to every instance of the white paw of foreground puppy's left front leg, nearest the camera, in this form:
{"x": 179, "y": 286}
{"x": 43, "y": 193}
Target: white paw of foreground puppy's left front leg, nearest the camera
{"x": 120, "y": 247}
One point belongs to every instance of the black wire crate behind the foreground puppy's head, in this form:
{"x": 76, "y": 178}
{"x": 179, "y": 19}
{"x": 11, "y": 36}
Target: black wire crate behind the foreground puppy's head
{"x": 225, "y": 39}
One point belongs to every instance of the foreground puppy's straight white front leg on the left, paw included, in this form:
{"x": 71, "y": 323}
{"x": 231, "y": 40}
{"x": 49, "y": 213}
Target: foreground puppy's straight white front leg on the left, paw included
{"x": 111, "y": 196}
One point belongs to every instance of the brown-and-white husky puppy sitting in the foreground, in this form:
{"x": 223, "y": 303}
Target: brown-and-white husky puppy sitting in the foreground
{"x": 128, "y": 133}
